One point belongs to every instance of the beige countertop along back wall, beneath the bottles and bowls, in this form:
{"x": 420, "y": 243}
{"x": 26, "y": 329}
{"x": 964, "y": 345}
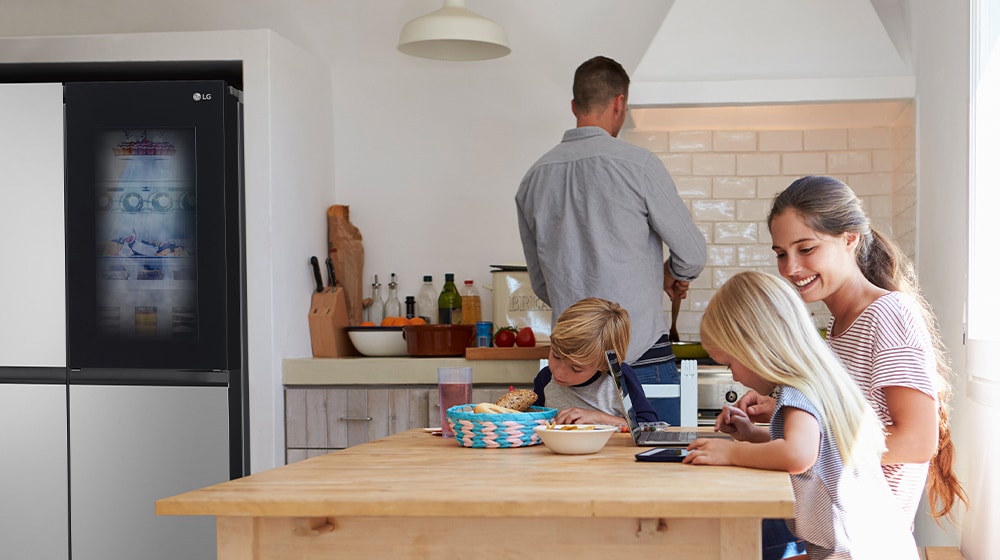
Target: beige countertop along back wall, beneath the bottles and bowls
{"x": 402, "y": 371}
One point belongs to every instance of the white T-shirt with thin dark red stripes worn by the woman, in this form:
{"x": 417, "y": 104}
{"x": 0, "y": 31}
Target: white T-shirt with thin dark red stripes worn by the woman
{"x": 889, "y": 346}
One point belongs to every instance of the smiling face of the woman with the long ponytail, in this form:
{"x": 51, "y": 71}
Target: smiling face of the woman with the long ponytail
{"x": 815, "y": 263}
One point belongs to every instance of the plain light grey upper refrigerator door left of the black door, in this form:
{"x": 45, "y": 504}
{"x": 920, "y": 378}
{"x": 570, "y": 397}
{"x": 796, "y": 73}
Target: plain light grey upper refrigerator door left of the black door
{"x": 33, "y": 322}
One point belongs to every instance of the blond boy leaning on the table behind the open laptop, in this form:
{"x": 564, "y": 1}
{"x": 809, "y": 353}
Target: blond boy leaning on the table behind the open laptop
{"x": 576, "y": 380}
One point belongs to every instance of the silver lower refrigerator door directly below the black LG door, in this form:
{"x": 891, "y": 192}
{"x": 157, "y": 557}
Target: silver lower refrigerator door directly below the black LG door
{"x": 132, "y": 445}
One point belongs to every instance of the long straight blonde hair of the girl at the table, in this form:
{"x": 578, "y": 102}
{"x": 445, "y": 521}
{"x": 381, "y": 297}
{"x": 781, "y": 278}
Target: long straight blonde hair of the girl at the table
{"x": 761, "y": 322}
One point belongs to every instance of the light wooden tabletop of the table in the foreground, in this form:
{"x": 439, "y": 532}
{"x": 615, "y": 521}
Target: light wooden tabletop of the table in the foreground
{"x": 415, "y": 474}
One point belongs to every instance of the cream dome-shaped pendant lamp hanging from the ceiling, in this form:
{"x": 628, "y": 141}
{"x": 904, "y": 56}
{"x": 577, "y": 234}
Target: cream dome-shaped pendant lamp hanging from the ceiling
{"x": 453, "y": 33}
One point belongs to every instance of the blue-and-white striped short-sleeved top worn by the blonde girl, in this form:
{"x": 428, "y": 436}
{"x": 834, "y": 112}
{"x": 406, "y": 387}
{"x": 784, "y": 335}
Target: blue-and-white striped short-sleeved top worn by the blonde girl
{"x": 842, "y": 513}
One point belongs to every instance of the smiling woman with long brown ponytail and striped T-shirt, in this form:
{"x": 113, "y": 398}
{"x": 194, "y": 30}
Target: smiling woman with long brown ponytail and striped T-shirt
{"x": 882, "y": 329}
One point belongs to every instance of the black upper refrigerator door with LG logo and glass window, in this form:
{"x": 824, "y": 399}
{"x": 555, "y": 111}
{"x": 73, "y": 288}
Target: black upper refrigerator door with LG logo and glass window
{"x": 153, "y": 233}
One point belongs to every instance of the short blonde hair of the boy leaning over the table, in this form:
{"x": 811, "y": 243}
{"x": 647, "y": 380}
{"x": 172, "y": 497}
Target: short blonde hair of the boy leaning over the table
{"x": 587, "y": 329}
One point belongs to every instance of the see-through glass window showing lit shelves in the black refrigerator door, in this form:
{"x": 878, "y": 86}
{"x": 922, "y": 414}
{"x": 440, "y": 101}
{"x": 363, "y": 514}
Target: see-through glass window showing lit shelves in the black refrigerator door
{"x": 146, "y": 213}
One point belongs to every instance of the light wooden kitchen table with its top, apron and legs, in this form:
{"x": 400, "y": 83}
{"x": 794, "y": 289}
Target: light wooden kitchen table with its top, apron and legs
{"x": 414, "y": 495}
